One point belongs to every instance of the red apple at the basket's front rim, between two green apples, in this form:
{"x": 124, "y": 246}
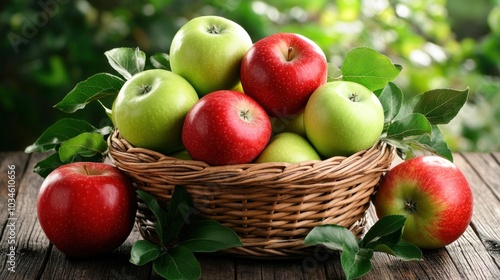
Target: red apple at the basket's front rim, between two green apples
{"x": 226, "y": 127}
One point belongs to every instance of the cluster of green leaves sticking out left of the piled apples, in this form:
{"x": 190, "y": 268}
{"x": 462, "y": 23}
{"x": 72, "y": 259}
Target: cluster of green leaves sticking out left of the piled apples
{"x": 69, "y": 139}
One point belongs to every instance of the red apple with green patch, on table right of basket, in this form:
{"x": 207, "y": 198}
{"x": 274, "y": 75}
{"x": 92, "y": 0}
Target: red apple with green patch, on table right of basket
{"x": 433, "y": 194}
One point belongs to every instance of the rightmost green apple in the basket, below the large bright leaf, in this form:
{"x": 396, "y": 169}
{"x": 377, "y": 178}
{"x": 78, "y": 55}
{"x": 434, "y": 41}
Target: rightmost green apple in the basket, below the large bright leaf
{"x": 342, "y": 118}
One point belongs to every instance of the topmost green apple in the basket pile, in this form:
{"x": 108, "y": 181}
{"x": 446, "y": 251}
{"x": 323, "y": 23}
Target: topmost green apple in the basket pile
{"x": 207, "y": 51}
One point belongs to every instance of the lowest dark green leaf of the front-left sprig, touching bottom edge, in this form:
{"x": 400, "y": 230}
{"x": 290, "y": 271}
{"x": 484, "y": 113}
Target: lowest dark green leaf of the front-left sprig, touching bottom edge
{"x": 177, "y": 263}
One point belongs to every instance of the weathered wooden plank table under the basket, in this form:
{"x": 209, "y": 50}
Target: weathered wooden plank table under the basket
{"x": 476, "y": 255}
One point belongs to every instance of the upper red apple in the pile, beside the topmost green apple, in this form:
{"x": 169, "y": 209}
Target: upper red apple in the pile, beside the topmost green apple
{"x": 281, "y": 71}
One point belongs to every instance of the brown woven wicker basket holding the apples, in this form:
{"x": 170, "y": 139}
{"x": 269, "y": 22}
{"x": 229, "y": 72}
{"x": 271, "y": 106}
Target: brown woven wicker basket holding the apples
{"x": 271, "y": 206}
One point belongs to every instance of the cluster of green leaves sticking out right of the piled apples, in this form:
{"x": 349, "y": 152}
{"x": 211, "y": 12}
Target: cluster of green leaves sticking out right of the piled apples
{"x": 409, "y": 124}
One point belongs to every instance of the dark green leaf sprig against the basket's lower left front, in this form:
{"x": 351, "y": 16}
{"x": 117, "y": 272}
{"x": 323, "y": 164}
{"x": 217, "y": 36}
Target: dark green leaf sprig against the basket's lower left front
{"x": 181, "y": 234}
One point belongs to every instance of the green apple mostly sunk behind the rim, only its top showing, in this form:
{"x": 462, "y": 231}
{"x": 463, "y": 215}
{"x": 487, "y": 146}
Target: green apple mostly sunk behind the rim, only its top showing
{"x": 288, "y": 147}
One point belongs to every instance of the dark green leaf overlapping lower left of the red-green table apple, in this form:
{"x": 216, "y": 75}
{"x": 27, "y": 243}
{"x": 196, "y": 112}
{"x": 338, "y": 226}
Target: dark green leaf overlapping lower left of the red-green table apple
{"x": 384, "y": 227}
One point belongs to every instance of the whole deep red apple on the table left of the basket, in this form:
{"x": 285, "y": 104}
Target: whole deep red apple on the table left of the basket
{"x": 86, "y": 208}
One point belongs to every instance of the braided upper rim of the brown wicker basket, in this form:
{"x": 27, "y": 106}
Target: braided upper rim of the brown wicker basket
{"x": 301, "y": 175}
